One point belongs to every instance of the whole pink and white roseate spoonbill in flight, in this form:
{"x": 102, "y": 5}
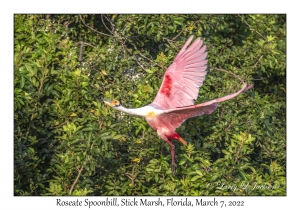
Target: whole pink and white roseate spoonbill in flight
{"x": 174, "y": 102}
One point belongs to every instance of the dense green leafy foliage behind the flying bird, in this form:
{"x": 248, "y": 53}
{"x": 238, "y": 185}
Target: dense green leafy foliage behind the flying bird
{"x": 67, "y": 142}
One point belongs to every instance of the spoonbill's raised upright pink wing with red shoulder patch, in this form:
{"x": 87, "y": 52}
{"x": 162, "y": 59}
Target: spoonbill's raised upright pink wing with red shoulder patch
{"x": 181, "y": 82}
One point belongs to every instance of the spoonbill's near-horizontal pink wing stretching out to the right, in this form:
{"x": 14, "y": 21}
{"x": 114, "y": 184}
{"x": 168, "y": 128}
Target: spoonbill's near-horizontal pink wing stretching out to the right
{"x": 179, "y": 115}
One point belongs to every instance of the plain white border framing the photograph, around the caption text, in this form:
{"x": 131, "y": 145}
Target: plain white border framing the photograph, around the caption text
{"x": 8, "y": 201}
